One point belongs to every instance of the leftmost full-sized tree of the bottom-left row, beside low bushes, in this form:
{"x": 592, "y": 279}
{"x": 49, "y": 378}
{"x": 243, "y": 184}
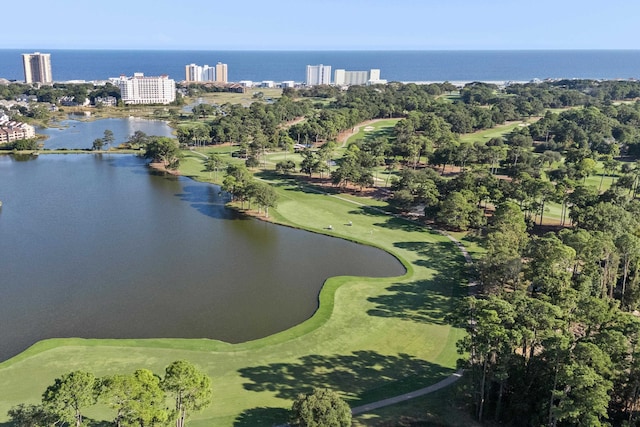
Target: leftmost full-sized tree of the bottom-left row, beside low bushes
{"x": 69, "y": 394}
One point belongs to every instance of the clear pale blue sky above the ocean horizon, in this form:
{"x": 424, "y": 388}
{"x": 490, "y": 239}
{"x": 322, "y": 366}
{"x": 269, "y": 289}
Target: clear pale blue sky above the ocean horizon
{"x": 322, "y": 24}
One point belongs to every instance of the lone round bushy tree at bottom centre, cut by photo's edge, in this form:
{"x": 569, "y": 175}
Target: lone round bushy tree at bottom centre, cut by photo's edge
{"x": 320, "y": 408}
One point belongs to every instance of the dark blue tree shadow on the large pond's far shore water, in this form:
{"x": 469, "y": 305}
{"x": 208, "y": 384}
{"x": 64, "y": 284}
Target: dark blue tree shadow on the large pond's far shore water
{"x": 209, "y": 201}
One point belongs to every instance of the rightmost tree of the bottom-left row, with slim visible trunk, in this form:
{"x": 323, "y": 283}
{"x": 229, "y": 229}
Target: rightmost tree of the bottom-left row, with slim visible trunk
{"x": 190, "y": 388}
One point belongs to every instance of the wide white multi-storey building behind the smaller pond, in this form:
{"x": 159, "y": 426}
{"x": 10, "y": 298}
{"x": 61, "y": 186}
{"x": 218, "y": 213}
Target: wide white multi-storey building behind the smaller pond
{"x": 141, "y": 89}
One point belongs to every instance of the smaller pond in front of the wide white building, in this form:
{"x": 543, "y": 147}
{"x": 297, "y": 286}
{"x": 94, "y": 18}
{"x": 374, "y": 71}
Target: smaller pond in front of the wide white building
{"x": 81, "y": 134}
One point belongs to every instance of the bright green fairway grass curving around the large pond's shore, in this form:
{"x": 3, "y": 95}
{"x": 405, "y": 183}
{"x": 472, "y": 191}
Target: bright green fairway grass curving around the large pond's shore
{"x": 371, "y": 338}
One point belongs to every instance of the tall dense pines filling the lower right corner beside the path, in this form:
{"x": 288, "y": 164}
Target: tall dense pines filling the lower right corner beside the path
{"x": 552, "y": 339}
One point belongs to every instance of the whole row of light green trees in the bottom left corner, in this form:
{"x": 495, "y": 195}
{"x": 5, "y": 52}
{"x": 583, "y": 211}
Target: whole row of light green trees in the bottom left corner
{"x": 138, "y": 399}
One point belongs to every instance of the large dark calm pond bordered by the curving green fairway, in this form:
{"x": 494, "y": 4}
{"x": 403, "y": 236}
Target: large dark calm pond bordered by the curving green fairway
{"x": 97, "y": 246}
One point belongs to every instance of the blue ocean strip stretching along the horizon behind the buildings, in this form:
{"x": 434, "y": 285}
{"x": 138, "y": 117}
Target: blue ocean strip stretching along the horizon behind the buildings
{"x": 404, "y": 66}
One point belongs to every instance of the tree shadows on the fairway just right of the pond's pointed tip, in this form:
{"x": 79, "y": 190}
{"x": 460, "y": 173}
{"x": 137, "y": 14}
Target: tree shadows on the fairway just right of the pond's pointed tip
{"x": 425, "y": 300}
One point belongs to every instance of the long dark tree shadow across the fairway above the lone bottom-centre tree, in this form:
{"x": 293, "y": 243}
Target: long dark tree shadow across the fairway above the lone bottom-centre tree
{"x": 363, "y": 376}
